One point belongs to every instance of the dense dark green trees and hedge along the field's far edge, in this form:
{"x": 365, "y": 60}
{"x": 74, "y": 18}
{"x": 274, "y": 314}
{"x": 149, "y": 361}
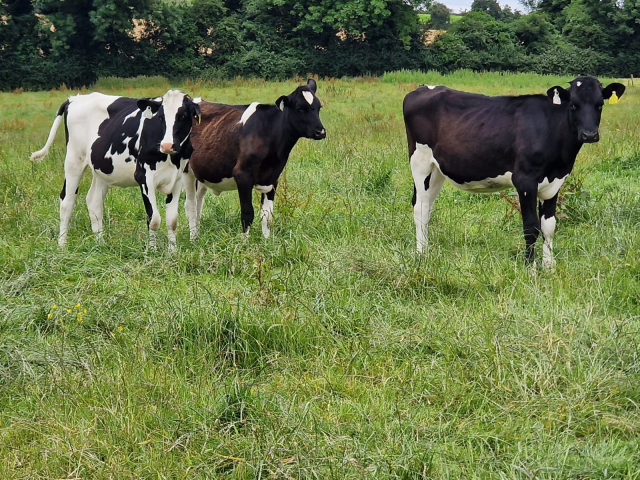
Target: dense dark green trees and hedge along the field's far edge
{"x": 45, "y": 43}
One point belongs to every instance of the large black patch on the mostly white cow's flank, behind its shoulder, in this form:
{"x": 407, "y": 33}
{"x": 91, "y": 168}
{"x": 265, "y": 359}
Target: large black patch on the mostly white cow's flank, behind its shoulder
{"x": 113, "y": 132}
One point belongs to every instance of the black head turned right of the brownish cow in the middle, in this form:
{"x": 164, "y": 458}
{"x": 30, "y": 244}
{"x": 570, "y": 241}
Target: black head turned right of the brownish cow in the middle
{"x": 302, "y": 109}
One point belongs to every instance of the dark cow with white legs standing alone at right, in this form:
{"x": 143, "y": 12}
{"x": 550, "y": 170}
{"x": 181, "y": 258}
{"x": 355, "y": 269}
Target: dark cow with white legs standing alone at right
{"x": 486, "y": 144}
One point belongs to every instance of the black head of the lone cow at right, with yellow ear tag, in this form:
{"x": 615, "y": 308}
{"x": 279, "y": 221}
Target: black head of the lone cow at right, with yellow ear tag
{"x": 584, "y": 100}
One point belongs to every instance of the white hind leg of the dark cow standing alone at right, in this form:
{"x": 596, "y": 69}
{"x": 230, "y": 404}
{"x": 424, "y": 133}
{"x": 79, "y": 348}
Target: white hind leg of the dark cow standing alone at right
{"x": 428, "y": 181}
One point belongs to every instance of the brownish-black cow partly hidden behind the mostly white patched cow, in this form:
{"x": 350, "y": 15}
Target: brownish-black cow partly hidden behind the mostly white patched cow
{"x": 242, "y": 147}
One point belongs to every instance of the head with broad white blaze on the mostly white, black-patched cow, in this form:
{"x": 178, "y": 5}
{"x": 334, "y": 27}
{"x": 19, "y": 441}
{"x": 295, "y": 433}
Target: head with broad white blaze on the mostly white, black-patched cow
{"x": 175, "y": 111}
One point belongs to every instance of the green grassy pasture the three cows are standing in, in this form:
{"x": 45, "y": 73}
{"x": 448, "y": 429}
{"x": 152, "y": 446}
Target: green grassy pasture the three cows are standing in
{"x": 329, "y": 351}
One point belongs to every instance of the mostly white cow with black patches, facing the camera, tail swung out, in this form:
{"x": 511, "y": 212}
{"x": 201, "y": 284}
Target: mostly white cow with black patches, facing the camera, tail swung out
{"x": 127, "y": 142}
